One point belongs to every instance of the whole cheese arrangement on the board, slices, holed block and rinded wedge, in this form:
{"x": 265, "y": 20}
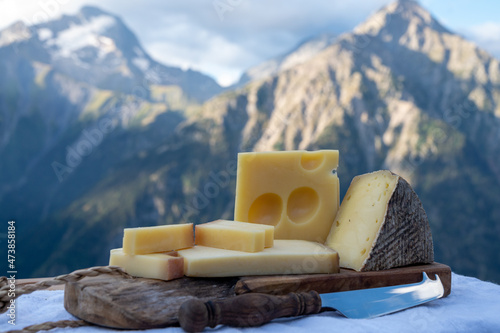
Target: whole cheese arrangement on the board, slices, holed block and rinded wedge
{"x": 288, "y": 221}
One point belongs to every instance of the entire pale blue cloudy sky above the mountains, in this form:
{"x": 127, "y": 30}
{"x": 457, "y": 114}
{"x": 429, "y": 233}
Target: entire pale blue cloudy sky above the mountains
{"x": 223, "y": 38}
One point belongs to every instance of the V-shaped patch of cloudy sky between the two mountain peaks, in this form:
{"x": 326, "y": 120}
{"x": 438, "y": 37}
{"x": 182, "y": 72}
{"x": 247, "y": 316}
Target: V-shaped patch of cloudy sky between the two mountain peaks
{"x": 225, "y": 37}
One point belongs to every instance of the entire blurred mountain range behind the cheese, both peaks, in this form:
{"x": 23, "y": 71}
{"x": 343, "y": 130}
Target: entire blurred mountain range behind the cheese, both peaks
{"x": 96, "y": 136}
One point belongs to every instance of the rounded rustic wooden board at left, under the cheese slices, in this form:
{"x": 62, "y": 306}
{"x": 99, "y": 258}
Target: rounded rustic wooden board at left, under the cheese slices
{"x": 86, "y": 299}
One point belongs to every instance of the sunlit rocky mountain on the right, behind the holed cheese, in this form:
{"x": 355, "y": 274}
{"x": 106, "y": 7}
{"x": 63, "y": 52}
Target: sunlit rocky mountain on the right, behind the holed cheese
{"x": 400, "y": 92}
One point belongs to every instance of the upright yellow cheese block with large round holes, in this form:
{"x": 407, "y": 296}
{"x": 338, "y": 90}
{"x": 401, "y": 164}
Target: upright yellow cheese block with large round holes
{"x": 295, "y": 191}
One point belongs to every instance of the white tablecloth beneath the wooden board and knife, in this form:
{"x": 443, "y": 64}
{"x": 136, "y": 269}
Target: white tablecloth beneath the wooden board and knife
{"x": 473, "y": 306}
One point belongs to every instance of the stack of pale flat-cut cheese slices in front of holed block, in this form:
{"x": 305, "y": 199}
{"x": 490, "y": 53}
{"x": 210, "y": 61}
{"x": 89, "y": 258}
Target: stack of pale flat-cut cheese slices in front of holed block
{"x": 222, "y": 248}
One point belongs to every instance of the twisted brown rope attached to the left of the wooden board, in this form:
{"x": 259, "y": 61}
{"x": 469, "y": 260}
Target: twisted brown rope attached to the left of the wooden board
{"x": 61, "y": 279}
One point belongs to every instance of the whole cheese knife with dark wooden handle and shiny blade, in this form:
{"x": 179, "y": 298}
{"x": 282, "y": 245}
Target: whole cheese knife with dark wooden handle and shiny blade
{"x": 255, "y": 309}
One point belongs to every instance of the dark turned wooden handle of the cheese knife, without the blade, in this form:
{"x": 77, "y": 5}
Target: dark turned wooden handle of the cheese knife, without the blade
{"x": 252, "y": 309}
